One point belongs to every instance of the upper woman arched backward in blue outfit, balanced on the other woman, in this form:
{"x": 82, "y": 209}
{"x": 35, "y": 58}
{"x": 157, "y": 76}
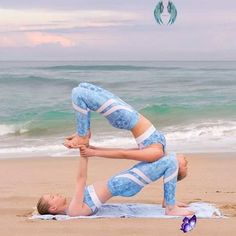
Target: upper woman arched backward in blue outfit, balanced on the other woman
{"x": 88, "y": 97}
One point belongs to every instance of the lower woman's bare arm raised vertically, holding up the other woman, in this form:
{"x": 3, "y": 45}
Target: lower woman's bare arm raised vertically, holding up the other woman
{"x": 76, "y": 206}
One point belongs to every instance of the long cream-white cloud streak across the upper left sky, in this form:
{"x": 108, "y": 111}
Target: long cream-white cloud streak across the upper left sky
{"x": 36, "y": 20}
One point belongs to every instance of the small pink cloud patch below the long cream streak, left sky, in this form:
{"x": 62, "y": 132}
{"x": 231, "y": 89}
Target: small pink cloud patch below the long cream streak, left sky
{"x": 37, "y": 38}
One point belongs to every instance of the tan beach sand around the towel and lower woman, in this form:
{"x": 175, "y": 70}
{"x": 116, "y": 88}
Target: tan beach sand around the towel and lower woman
{"x": 212, "y": 178}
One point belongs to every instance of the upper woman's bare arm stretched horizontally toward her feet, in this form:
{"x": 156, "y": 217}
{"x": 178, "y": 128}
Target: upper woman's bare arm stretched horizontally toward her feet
{"x": 149, "y": 154}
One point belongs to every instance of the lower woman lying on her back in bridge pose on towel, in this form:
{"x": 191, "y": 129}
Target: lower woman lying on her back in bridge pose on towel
{"x": 88, "y": 199}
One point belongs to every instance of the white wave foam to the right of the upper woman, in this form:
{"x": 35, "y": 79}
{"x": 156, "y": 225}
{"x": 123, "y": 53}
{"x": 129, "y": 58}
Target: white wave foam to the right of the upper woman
{"x": 211, "y": 136}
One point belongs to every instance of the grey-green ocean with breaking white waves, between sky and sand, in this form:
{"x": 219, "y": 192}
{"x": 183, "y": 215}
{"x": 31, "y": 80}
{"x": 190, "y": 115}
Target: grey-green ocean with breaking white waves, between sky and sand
{"x": 192, "y": 103}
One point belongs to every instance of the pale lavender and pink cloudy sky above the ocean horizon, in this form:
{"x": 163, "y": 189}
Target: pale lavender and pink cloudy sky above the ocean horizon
{"x": 116, "y": 30}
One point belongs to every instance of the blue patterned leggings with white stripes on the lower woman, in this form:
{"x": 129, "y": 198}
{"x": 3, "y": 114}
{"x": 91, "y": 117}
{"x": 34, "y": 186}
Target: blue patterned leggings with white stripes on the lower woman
{"x": 131, "y": 181}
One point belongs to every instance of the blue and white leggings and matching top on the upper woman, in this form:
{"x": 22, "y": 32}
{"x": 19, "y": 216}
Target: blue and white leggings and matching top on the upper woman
{"x": 88, "y": 97}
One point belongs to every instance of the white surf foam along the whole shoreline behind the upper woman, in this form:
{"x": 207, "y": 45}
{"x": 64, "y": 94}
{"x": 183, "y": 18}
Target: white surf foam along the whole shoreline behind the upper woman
{"x": 210, "y": 136}
